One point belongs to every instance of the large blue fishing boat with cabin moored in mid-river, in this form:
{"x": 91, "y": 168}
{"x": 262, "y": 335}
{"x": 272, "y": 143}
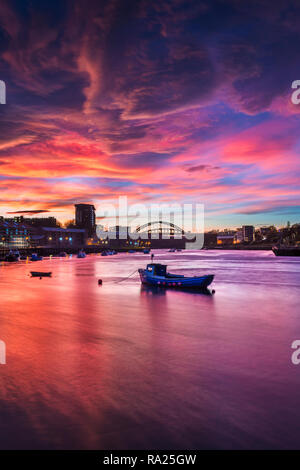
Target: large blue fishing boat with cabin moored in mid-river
{"x": 156, "y": 275}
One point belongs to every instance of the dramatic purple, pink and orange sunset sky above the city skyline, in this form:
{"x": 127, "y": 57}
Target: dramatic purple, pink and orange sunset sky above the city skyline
{"x": 162, "y": 101}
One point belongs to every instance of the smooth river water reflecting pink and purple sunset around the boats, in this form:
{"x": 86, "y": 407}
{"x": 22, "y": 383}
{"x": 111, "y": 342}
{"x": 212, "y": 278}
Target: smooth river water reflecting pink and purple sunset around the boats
{"x": 120, "y": 366}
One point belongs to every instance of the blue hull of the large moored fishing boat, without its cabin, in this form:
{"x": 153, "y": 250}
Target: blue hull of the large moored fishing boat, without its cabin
{"x": 176, "y": 282}
